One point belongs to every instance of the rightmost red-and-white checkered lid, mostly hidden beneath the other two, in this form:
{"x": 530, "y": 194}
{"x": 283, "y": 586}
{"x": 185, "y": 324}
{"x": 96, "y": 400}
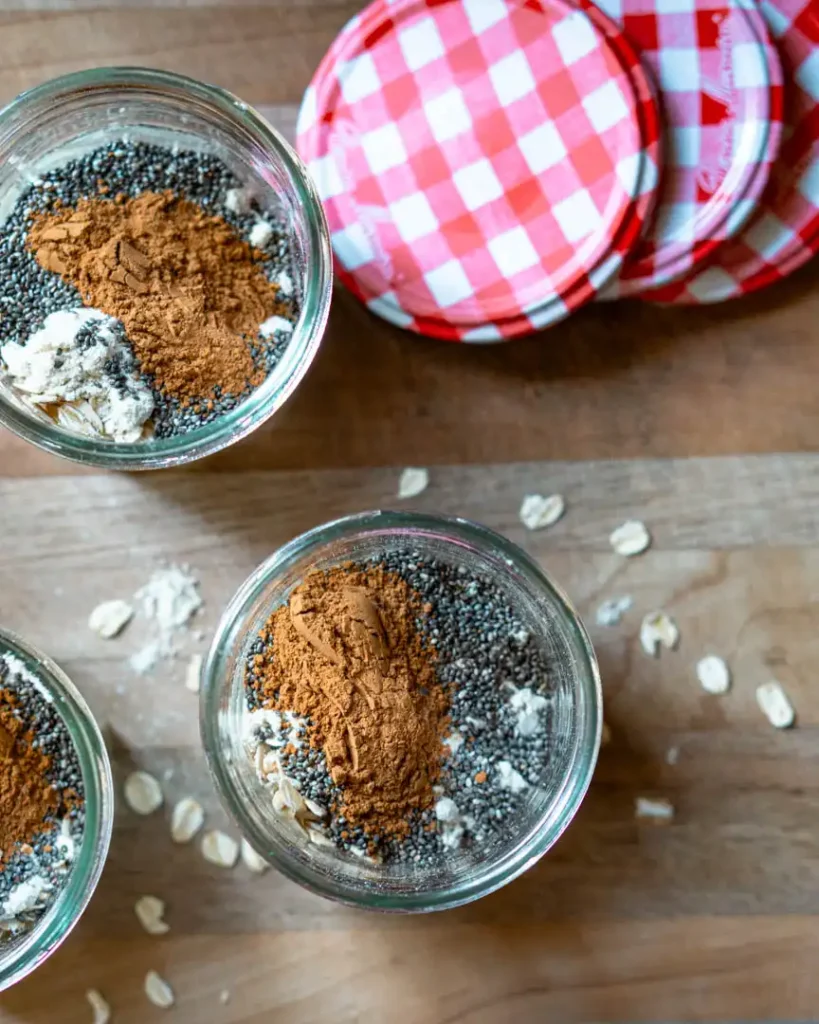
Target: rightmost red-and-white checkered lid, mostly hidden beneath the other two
{"x": 785, "y": 233}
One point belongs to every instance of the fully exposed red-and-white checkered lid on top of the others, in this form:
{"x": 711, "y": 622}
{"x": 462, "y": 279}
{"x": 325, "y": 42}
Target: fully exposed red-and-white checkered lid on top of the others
{"x": 486, "y": 165}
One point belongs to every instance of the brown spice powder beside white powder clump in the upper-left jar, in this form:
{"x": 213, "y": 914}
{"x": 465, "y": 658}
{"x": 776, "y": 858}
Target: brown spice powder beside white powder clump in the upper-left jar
{"x": 190, "y": 291}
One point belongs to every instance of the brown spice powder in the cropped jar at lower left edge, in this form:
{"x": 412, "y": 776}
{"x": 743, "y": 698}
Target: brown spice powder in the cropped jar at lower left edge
{"x": 26, "y": 795}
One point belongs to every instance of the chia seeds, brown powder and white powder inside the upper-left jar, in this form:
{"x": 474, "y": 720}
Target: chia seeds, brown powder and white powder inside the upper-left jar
{"x": 146, "y": 293}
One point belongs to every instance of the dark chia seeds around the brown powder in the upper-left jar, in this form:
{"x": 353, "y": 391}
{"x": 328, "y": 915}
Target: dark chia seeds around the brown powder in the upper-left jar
{"x": 29, "y": 293}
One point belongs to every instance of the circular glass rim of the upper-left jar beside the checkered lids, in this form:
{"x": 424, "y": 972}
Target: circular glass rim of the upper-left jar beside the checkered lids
{"x": 304, "y": 346}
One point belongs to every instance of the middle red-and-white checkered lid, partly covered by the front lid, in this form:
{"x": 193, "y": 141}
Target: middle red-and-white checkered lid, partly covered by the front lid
{"x": 721, "y": 87}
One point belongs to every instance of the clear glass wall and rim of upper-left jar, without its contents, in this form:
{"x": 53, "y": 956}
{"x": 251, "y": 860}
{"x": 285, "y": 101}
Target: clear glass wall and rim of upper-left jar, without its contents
{"x": 82, "y": 111}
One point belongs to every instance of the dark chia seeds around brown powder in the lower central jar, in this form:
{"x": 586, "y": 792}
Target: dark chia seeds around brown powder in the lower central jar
{"x": 485, "y": 657}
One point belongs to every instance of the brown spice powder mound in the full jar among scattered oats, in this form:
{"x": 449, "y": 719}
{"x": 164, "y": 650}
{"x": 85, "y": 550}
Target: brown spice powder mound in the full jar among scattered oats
{"x": 347, "y": 654}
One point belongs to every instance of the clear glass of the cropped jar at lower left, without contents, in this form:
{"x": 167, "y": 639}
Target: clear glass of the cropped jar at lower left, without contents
{"x": 21, "y": 956}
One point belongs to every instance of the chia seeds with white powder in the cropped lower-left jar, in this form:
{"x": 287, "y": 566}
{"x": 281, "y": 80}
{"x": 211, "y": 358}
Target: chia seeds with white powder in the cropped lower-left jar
{"x": 32, "y": 879}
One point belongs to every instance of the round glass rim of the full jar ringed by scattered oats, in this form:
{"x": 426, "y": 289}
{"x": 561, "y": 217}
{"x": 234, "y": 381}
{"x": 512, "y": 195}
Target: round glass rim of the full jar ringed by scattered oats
{"x": 506, "y": 558}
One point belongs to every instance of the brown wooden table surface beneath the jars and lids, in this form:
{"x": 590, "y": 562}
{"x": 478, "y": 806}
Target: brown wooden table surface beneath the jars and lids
{"x": 678, "y": 417}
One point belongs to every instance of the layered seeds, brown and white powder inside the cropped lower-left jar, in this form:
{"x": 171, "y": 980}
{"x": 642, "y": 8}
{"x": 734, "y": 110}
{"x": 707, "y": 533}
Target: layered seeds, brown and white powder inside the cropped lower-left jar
{"x": 41, "y": 800}
